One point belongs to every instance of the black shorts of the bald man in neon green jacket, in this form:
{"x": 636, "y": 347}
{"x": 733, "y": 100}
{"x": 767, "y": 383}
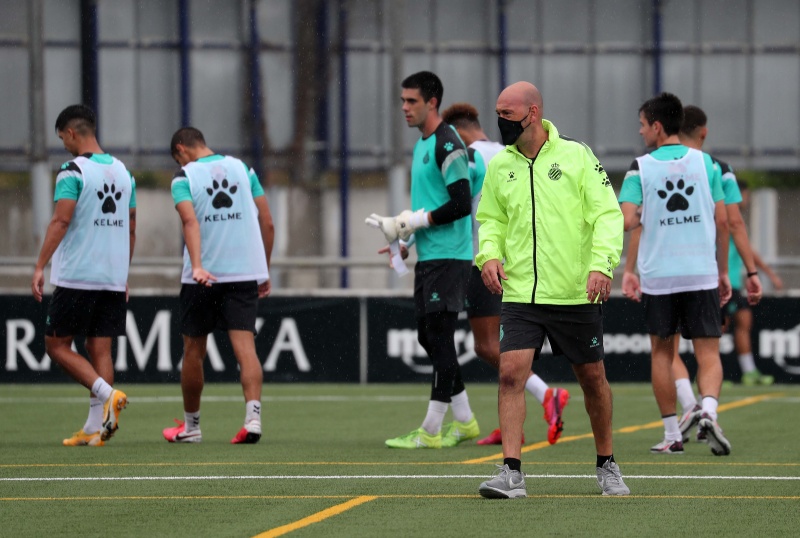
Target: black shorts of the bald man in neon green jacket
{"x": 575, "y": 331}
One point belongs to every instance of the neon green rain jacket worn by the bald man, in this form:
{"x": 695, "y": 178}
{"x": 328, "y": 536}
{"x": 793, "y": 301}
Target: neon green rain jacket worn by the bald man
{"x": 553, "y": 219}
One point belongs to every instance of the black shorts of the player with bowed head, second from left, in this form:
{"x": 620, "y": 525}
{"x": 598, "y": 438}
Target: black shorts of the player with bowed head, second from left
{"x": 229, "y": 306}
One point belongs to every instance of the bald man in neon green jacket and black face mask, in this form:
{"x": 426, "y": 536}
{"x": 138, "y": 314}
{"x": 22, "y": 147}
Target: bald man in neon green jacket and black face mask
{"x": 550, "y": 236}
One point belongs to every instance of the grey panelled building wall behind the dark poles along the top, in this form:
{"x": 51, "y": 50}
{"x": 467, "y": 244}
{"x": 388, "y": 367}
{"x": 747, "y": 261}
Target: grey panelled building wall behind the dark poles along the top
{"x": 594, "y": 61}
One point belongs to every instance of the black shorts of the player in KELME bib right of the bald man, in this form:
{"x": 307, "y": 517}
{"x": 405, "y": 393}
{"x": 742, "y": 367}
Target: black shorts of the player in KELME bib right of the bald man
{"x": 696, "y": 314}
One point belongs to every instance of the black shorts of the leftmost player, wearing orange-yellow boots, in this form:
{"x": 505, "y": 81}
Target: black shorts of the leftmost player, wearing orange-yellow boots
{"x": 73, "y": 312}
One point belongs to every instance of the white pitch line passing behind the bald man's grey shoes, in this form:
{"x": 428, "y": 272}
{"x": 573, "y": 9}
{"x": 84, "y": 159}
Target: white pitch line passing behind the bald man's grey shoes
{"x": 367, "y": 477}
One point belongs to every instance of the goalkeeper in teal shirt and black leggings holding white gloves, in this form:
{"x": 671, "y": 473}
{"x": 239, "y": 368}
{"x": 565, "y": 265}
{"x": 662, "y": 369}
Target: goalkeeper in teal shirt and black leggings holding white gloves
{"x": 441, "y": 207}
